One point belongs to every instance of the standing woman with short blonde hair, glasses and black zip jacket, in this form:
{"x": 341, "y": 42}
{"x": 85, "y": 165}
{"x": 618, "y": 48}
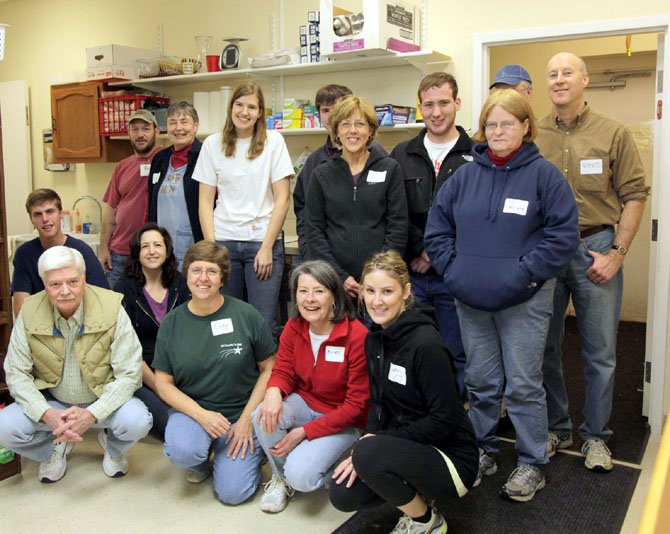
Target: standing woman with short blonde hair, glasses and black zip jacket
{"x": 356, "y": 203}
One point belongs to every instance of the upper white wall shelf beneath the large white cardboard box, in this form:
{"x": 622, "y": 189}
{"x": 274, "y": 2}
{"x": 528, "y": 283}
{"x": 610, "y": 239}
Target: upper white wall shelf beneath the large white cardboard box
{"x": 418, "y": 60}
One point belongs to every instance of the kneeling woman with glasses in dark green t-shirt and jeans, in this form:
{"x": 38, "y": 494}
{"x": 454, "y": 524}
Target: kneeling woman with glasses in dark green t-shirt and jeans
{"x": 213, "y": 359}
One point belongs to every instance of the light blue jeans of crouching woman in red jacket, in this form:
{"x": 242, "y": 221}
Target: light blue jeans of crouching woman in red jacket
{"x": 306, "y": 466}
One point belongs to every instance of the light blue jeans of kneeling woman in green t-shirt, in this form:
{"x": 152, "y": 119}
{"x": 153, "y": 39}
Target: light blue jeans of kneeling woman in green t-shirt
{"x": 188, "y": 445}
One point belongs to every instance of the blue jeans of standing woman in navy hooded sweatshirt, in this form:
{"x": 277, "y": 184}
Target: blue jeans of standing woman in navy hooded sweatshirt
{"x": 505, "y": 350}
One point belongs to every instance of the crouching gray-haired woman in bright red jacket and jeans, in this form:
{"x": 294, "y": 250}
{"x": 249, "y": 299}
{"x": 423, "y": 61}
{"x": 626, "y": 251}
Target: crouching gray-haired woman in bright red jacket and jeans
{"x": 316, "y": 400}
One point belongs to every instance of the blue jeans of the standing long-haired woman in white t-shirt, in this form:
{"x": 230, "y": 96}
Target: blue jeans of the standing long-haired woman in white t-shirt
{"x": 262, "y": 294}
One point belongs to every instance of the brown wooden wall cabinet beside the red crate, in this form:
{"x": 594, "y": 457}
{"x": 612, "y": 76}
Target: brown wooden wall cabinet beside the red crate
{"x": 76, "y": 129}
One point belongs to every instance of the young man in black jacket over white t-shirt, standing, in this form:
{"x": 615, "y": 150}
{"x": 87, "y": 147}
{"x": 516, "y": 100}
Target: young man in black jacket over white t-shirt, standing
{"x": 427, "y": 161}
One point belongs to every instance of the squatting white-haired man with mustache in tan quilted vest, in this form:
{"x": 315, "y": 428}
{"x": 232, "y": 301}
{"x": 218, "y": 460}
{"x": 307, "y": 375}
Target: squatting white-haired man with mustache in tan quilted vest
{"x": 73, "y": 363}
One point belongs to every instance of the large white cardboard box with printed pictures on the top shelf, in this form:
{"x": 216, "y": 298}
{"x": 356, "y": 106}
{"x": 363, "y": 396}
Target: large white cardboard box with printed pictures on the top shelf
{"x": 368, "y": 31}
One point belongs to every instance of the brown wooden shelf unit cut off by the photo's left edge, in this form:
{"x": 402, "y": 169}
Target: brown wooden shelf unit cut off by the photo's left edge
{"x": 13, "y": 467}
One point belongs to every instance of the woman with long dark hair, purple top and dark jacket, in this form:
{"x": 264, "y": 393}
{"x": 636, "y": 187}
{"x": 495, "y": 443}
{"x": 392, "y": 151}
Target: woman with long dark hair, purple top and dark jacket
{"x": 151, "y": 287}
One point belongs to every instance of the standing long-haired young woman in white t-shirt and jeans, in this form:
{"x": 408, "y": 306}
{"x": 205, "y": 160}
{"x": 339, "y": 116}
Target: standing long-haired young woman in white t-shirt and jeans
{"x": 247, "y": 169}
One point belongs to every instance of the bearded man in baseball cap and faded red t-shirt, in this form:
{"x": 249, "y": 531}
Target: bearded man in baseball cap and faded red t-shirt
{"x": 126, "y": 195}
